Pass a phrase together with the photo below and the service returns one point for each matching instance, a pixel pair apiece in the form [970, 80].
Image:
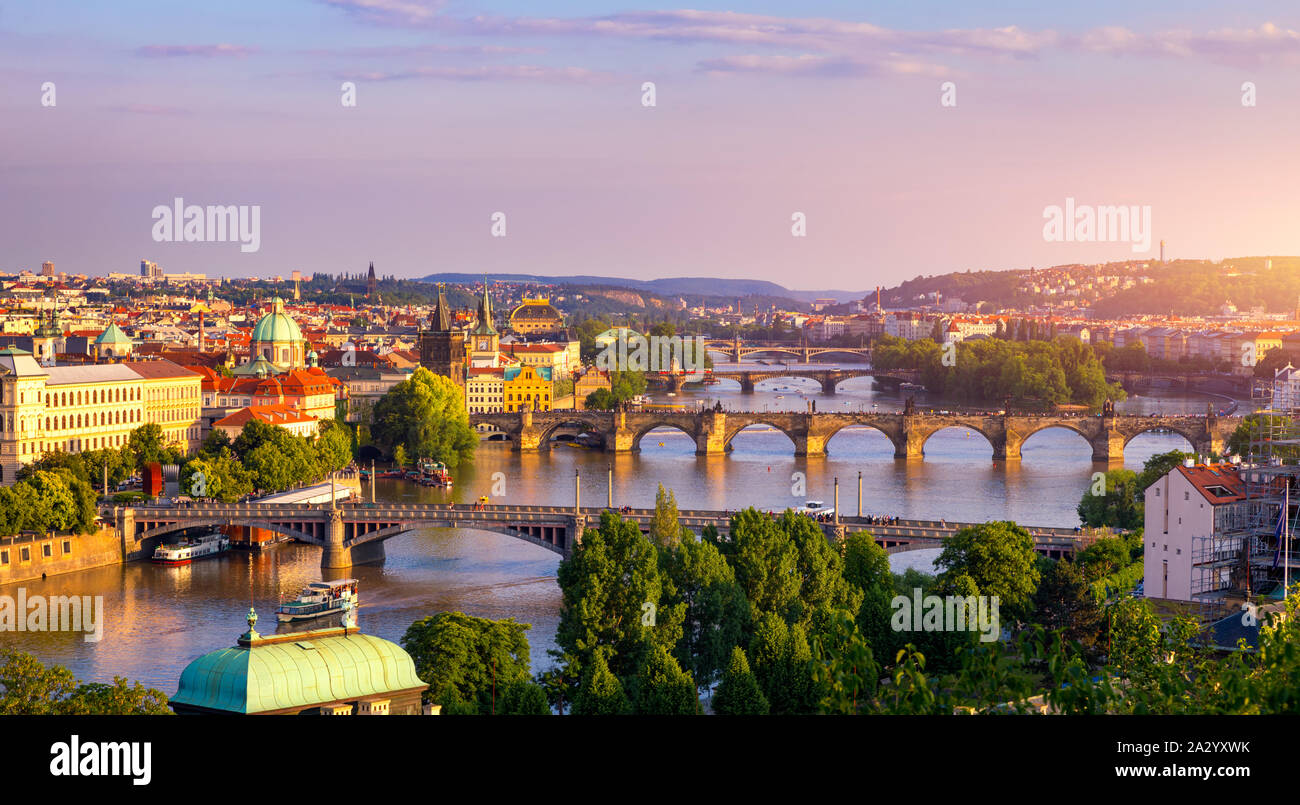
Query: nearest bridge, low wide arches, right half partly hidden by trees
[354, 534]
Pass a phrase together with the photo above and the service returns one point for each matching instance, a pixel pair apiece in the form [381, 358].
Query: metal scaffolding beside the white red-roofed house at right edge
[1247, 559]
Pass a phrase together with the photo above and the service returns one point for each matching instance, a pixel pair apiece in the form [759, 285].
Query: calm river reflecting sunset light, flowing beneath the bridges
[161, 618]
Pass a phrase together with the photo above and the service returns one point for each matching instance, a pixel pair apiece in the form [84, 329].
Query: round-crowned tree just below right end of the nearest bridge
[999, 559]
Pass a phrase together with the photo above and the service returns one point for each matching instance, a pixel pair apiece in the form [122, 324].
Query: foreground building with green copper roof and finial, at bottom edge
[330, 672]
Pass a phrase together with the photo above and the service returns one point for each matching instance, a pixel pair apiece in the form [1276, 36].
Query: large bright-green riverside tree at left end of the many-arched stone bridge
[427, 414]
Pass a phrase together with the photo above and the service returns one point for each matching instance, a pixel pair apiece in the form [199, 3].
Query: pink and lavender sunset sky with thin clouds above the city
[908, 139]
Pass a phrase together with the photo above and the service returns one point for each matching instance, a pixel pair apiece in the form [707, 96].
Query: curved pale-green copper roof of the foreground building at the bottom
[297, 674]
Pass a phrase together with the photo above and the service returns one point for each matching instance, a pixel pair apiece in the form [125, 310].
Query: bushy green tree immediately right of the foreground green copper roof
[469, 660]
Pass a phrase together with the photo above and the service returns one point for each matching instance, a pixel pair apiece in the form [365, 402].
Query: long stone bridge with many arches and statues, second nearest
[714, 431]
